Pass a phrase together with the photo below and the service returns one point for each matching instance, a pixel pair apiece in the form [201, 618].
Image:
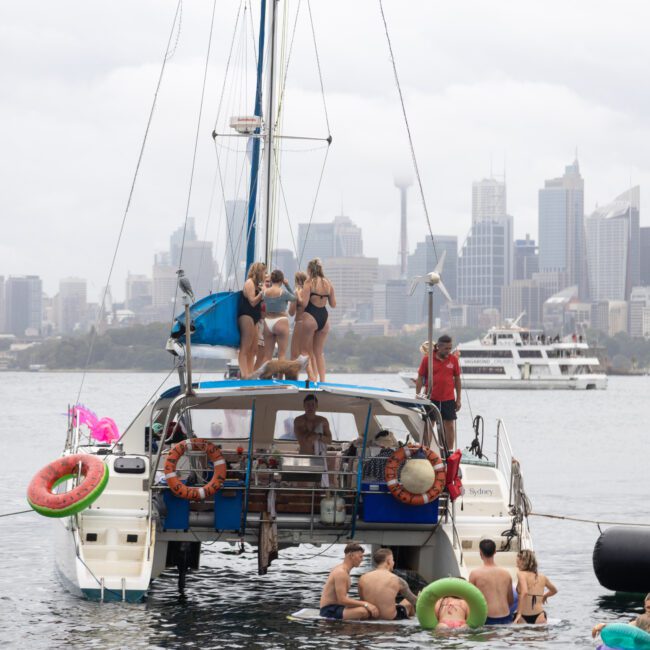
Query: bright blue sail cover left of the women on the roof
[214, 318]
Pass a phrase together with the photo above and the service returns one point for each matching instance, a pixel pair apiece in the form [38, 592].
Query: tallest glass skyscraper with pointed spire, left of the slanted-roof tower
[561, 227]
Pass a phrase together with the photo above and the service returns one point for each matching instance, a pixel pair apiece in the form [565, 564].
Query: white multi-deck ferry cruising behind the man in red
[517, 357]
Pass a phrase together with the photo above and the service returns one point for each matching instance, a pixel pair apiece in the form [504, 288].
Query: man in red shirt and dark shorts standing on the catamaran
[446, 388]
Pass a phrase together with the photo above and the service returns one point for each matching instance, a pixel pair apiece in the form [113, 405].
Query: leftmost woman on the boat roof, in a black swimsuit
[249, 312]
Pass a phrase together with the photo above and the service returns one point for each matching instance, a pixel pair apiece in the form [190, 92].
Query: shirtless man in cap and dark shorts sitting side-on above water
[335, 602]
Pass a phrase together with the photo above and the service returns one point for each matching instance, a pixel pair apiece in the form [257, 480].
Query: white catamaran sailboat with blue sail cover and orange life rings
[208, 461]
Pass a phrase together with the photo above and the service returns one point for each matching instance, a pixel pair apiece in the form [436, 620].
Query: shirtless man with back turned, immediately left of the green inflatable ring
[381, 586]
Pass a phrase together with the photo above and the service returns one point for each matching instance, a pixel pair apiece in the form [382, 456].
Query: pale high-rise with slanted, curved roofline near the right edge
[612, 236]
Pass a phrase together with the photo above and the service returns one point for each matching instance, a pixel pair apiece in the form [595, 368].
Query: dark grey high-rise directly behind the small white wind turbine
[422, 261]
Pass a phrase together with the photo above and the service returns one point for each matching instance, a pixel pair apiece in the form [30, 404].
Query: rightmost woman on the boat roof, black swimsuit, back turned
[317, 292]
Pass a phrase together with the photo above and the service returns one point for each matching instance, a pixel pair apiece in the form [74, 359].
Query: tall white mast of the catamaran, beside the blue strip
[269, 118]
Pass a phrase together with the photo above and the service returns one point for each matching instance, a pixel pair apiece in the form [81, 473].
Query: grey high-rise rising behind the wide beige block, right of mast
[338, 238]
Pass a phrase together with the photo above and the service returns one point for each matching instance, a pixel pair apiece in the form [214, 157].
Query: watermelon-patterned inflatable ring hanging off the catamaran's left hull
[41, 497]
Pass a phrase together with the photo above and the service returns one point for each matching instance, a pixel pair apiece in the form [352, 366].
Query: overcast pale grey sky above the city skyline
[519, 84]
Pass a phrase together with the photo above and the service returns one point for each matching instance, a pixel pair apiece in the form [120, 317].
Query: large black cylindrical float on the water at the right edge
[622, 559]
